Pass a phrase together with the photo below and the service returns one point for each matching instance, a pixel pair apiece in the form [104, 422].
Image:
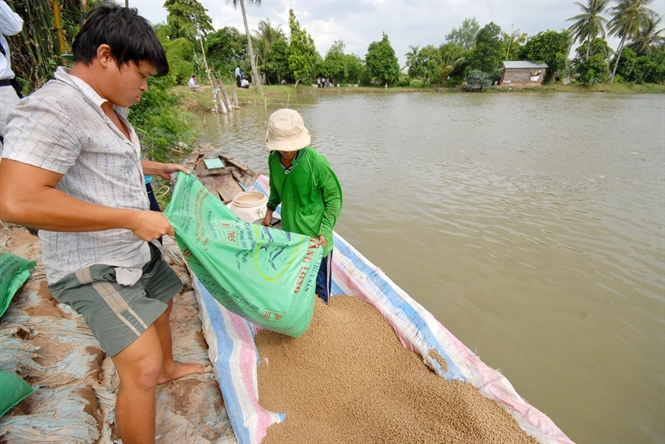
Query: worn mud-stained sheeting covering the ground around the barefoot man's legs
[50, 346]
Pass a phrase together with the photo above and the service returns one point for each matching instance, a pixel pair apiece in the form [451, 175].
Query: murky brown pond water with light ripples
[530, 225]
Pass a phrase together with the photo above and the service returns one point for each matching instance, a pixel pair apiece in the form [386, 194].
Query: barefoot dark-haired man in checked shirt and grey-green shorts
[71, 169]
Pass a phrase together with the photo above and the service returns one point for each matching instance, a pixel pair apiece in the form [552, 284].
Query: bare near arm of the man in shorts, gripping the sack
[28, 196]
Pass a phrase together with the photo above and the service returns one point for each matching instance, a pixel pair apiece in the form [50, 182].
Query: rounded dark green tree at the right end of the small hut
[549, 47]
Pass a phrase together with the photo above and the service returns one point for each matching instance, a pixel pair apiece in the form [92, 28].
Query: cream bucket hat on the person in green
[286, 131]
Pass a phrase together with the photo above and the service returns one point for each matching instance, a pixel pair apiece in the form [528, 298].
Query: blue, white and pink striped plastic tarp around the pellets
[235, 357]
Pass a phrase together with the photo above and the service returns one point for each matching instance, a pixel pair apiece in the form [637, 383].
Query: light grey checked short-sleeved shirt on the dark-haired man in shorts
[62, 128]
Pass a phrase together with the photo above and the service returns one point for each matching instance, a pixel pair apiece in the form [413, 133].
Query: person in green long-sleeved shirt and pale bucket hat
[302, 181]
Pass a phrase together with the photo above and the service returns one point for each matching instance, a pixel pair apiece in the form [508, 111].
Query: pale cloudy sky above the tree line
[407, 23]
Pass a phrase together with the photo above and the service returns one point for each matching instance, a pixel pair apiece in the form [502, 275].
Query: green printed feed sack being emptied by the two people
[264, 275]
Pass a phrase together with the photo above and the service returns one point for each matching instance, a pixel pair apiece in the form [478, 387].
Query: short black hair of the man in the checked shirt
[130, 36]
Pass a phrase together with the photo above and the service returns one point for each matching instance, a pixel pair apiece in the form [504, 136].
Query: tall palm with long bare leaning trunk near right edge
[628, 16]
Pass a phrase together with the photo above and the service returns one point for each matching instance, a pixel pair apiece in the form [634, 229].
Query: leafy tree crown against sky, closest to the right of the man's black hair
[187, 19]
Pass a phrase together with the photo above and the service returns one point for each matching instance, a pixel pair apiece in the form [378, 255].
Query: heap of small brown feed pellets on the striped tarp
[348, 379]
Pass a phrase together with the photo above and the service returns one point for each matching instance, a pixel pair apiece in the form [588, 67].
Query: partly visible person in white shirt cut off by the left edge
[10, 92]
